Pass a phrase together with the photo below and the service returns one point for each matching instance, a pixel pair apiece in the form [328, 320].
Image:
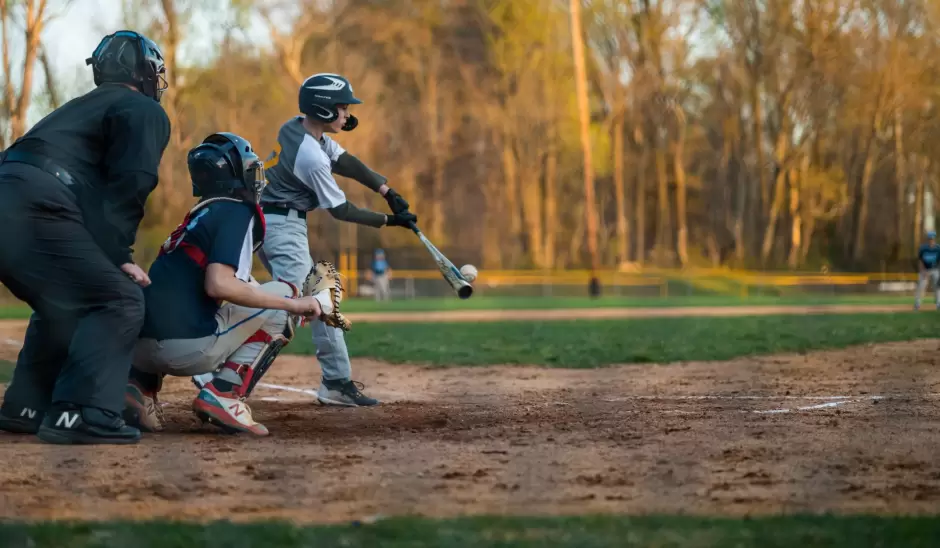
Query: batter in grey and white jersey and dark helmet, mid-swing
[302, 180]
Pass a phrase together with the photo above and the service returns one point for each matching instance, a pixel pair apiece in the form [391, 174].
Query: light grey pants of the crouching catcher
[186, 357]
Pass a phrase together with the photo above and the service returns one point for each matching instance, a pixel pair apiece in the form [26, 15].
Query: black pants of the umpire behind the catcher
[87, 312]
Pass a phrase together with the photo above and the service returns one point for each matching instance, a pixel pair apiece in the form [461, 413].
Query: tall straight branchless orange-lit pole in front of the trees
[581, 86]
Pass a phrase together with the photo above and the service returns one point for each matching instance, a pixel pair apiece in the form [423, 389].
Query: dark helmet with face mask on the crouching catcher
[224, 164]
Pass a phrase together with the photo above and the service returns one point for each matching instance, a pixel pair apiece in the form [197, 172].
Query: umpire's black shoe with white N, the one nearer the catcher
[72, 424]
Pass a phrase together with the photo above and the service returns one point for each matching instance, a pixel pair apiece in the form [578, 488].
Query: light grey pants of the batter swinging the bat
[286, 256]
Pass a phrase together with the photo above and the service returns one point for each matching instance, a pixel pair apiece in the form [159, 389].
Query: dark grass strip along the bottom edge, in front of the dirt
[573, 532]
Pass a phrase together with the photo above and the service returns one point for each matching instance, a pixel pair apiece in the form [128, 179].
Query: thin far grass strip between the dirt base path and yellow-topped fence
[20, 311]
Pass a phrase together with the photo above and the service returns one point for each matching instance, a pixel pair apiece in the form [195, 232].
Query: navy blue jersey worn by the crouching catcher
[177, 306]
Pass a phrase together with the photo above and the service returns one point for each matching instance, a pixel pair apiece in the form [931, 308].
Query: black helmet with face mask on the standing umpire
[127, 57]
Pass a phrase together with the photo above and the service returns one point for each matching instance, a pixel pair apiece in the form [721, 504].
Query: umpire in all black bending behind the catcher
[72, 194]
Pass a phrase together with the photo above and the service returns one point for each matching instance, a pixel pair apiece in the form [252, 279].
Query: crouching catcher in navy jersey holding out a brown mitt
[205, 261]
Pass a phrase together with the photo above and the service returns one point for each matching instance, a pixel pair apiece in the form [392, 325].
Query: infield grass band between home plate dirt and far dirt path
[591, 343]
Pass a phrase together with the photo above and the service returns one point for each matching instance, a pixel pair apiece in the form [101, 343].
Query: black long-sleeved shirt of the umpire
[111, 140]
